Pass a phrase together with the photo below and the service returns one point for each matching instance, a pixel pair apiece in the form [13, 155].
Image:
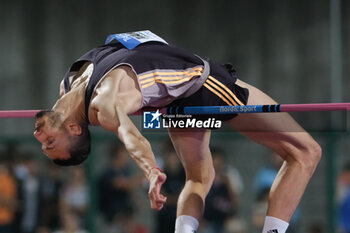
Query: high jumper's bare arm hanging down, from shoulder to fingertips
[117, 96]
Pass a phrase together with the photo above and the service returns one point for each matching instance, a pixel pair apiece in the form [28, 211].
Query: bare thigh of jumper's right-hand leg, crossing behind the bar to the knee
[278, 131]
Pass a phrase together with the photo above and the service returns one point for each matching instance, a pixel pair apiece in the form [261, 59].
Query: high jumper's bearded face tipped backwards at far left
[54, 139]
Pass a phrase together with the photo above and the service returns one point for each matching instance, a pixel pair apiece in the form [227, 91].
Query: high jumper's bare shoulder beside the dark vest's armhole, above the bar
[119, 88]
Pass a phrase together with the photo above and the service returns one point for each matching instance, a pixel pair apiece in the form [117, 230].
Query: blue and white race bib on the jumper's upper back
[132, 39]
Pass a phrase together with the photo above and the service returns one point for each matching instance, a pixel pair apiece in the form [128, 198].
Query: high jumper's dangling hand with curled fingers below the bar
[156, 180]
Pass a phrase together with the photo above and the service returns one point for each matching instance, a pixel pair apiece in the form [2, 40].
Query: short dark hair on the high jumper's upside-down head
[79, 148]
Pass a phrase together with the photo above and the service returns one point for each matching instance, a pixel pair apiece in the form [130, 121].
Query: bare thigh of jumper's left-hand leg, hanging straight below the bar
[192, 147]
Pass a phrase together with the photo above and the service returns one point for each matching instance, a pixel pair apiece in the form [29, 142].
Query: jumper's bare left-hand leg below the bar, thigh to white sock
[194, 153]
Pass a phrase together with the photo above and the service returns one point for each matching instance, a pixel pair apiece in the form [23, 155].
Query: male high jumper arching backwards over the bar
[112, 81]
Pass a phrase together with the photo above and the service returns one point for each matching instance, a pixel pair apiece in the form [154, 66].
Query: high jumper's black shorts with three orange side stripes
[219, 89]
